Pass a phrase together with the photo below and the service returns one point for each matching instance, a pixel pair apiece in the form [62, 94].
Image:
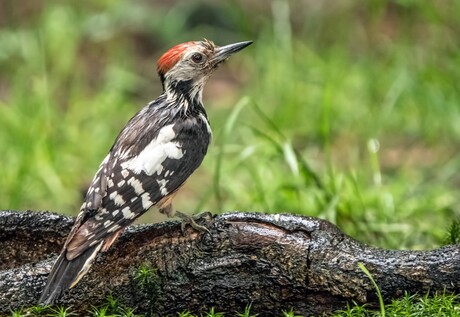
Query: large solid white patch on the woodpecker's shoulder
[151, 158]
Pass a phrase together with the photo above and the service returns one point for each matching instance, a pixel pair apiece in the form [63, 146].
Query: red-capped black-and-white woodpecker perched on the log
[151, 158]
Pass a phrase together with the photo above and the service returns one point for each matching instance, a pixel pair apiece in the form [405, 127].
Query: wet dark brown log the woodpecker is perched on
[274, 262]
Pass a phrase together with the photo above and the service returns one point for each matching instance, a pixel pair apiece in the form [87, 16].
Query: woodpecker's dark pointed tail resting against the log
[66, 273]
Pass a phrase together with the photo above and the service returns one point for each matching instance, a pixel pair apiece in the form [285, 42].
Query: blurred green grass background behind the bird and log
[344, 110]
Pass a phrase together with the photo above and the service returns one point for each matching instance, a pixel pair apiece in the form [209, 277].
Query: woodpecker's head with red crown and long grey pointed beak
[185, 68]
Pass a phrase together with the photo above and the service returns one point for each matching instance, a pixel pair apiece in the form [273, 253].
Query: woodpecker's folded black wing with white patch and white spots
[136, 182]
